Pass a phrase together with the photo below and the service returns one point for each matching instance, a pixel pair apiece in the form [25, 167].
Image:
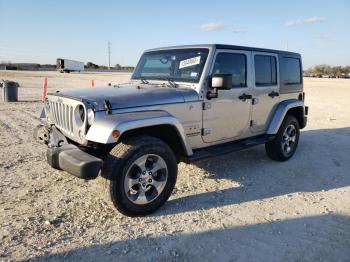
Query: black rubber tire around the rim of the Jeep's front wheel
[120, 162]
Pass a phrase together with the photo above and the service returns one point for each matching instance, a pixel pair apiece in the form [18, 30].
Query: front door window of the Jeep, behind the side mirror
[234, 64]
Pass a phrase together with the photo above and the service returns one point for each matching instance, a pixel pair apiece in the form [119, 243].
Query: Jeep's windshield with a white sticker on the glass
[184, 65]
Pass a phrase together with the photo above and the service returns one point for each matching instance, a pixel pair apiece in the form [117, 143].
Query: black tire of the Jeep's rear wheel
[277, 149]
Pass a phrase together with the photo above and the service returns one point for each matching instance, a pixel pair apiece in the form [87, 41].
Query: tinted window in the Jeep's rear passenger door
[265, 70]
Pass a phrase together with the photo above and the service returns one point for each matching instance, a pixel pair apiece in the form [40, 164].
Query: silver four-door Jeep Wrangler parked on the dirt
[183, 103]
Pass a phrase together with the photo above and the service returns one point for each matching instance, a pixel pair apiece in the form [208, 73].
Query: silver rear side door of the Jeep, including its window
[265, 89]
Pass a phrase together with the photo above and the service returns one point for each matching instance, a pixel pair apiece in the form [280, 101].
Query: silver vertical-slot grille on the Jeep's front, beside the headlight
[62, 116]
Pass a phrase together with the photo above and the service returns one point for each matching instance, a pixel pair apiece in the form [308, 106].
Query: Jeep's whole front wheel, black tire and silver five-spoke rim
[141, 174]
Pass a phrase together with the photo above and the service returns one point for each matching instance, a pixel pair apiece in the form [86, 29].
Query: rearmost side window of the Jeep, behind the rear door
[290, 71]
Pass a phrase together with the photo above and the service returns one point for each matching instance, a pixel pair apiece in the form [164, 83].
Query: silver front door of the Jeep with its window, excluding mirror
[227, 117]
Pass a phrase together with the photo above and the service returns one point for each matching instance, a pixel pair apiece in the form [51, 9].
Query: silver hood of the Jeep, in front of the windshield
[131, 96]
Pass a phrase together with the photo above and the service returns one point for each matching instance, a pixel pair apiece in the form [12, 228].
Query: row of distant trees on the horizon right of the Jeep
[327, 70]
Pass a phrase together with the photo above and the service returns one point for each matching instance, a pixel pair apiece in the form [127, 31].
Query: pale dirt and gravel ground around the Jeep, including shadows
[240, 207]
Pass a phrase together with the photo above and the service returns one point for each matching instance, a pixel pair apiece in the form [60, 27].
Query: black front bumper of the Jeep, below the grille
[74, 161]
